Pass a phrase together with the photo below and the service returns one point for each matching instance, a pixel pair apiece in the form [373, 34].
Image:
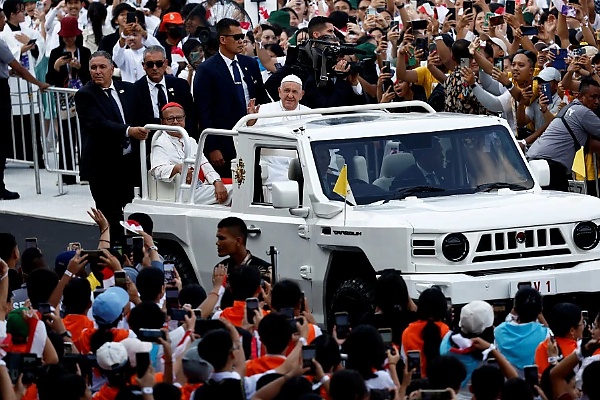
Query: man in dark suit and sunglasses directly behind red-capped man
[156, 89]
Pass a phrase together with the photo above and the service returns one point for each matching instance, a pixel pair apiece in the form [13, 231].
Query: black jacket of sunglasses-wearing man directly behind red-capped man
[178, 90]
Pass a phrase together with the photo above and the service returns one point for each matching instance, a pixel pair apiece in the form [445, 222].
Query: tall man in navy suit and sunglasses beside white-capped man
[223, 87]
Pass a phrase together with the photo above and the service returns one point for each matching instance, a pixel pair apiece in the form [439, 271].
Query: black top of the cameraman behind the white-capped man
[335, 94]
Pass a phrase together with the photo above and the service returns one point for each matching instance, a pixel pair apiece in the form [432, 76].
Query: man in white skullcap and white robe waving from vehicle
[290, 94]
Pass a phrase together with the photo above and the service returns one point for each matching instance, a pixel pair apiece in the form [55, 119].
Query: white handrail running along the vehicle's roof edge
[337, 110]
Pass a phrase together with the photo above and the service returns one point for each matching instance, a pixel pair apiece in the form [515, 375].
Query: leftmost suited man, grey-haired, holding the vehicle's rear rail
[110, 144]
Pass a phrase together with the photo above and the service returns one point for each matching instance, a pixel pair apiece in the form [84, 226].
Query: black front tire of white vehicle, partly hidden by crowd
[354, 296]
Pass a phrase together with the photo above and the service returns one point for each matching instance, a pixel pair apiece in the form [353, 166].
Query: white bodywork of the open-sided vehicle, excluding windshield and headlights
[321, 246]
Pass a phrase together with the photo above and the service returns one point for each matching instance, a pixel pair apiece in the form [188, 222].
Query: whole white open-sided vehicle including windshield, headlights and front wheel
[446, 199]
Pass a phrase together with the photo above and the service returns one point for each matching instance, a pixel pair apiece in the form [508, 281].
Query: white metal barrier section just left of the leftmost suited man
[62, 140]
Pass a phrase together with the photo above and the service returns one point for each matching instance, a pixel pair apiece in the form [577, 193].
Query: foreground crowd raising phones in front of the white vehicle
[118, 323]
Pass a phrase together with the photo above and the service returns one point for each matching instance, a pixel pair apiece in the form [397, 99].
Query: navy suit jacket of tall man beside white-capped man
[215, 100]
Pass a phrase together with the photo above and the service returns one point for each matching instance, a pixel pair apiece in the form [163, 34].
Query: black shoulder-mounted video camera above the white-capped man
[322, 55]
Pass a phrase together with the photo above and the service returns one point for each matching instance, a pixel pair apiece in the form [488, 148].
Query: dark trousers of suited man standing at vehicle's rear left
[112, 193]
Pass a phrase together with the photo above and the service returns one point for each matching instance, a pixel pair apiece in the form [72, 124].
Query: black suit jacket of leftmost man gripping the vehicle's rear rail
[103, 132]
